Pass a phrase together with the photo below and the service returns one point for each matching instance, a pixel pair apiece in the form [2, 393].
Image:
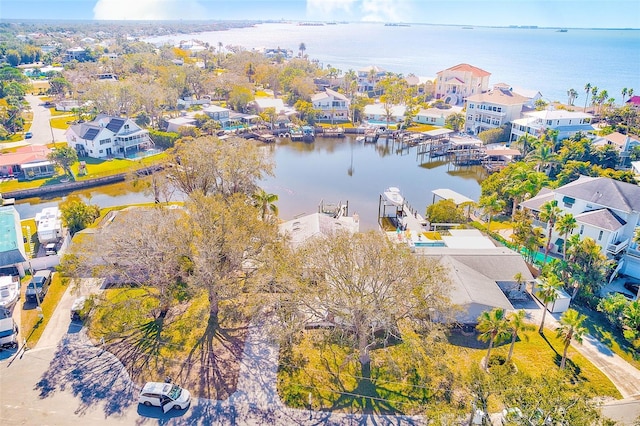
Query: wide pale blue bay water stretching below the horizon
[542, 59]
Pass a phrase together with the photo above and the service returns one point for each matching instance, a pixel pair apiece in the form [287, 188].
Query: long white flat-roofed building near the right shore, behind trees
[567, 123]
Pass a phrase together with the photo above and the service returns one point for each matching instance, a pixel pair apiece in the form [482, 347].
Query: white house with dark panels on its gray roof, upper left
[107, 137]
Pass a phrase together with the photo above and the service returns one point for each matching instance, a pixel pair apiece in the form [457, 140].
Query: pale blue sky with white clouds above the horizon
[551, 13]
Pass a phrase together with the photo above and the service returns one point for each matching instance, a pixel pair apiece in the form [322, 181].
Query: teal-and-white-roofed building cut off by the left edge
[12, 250]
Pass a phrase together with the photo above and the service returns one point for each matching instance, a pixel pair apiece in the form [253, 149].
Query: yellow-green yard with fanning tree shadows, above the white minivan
[184, 345]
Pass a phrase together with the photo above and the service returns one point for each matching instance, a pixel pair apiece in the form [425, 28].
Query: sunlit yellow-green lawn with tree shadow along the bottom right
[411, 377]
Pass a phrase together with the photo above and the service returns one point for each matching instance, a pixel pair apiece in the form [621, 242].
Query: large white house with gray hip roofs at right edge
[606, 210]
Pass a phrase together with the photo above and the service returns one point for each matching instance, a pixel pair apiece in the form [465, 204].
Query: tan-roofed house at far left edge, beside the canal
[27, 162]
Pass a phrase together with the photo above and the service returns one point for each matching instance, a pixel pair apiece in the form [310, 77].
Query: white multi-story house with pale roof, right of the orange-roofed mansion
[491, 110]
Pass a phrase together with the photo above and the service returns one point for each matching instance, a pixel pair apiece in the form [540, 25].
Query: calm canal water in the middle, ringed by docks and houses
[330, 169]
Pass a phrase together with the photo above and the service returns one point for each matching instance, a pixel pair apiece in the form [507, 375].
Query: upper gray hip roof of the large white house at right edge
[604, 191]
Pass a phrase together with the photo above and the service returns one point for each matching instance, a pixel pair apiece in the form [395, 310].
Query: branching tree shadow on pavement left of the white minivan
[92, 374]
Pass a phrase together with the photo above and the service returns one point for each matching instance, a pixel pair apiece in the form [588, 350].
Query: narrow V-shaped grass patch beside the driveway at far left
[32, 325]
